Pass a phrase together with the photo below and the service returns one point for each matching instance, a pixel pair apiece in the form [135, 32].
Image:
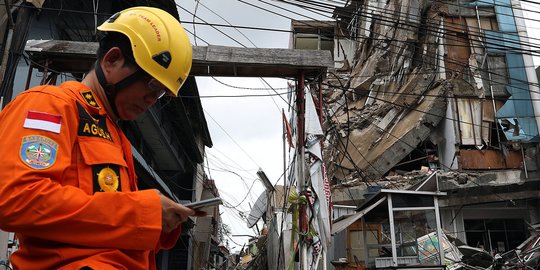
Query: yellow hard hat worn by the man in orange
[160, 44]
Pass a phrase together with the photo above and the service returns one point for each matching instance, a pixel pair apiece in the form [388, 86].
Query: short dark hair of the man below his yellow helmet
[115, 39]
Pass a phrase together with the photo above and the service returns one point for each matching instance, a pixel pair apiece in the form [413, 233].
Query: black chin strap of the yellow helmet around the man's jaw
[111, 90]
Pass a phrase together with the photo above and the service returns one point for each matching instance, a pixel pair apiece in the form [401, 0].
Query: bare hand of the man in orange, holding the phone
[173, 214]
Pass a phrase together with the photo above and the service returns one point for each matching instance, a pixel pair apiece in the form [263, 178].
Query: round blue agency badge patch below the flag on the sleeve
[38, 152]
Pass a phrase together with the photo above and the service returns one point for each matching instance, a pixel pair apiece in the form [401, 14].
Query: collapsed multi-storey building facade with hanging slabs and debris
[434, 88]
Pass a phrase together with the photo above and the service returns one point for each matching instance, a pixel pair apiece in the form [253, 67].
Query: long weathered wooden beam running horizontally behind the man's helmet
[75, 56]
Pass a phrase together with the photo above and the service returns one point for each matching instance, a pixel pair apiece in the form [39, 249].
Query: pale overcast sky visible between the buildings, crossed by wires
[247, 131]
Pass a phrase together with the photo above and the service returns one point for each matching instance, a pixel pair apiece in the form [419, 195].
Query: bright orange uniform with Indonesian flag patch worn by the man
[67, 185]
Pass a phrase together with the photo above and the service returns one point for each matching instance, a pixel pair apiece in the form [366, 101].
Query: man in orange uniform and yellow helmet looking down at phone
[68, 187]
